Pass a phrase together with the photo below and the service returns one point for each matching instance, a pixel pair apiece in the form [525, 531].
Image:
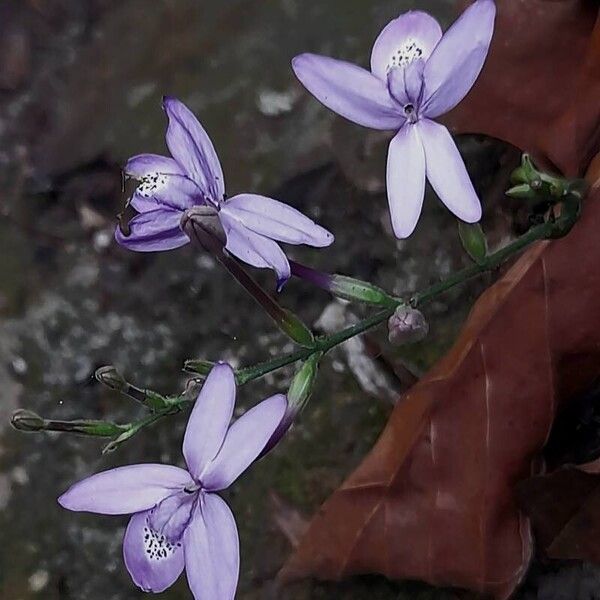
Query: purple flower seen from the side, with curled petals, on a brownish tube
[253, 224]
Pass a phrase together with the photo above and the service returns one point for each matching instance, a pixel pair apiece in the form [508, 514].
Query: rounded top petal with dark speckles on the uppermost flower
[411, 36]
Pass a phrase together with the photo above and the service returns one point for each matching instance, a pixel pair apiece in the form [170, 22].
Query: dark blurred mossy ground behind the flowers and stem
[81, 83]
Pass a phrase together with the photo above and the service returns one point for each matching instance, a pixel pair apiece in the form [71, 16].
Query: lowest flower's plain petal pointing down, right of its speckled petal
[212, 550]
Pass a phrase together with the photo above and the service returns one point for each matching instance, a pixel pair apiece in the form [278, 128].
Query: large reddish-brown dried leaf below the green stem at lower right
[434, 498]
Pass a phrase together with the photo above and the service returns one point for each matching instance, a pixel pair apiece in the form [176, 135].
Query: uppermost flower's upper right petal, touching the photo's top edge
[458, 59]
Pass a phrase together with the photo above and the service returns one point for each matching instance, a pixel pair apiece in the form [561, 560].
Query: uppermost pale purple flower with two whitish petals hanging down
[416, 75]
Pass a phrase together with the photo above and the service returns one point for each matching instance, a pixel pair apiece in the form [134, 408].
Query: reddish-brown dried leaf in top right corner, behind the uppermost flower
[540, 87]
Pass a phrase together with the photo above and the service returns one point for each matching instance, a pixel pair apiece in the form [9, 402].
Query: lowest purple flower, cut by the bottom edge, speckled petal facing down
[179, 520]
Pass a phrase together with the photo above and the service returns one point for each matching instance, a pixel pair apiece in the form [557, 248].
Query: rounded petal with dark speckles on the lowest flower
[153, 563]
